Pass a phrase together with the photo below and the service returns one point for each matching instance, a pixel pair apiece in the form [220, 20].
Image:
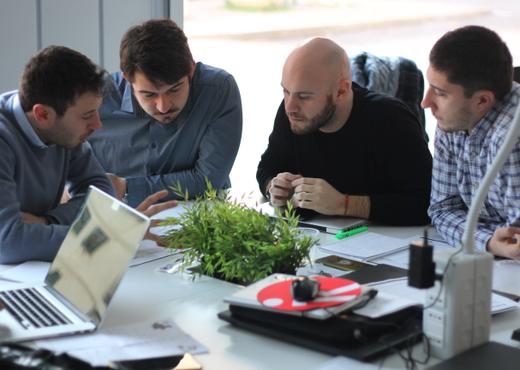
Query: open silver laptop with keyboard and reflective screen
[83, 277]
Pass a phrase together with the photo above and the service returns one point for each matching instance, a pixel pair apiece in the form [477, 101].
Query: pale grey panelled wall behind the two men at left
[93, 27]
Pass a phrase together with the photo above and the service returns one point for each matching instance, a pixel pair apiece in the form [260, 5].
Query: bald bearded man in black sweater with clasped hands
[339, 149]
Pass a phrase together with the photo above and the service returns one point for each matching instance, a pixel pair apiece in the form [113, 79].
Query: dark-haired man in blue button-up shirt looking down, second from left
[167, 120]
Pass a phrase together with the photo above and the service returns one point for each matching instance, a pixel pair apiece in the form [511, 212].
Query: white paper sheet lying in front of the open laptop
[158, 338]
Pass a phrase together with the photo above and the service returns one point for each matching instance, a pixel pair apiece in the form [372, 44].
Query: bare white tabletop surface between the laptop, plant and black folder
[146, 293]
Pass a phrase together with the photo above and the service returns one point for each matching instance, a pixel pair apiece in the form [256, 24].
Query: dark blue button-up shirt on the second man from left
[201, 143]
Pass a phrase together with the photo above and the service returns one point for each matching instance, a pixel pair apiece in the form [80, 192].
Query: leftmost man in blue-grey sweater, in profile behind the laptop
[43, 128]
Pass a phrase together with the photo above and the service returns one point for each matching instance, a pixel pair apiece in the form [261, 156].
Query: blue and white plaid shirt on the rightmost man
[461, 160]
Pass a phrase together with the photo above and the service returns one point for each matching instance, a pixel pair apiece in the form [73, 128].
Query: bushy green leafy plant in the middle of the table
[236, 243]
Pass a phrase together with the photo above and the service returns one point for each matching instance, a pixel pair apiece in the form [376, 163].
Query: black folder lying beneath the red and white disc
[348, 335]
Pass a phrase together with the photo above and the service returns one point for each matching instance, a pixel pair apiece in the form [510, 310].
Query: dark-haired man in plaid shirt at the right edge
[473, 98]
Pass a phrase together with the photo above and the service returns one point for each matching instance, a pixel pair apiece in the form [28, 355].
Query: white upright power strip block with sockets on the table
[461, 317]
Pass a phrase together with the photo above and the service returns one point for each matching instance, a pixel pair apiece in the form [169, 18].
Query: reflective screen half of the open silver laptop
[96, 252]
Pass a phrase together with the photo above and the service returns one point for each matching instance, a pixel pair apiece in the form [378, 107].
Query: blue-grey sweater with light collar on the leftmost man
[32, 179]
